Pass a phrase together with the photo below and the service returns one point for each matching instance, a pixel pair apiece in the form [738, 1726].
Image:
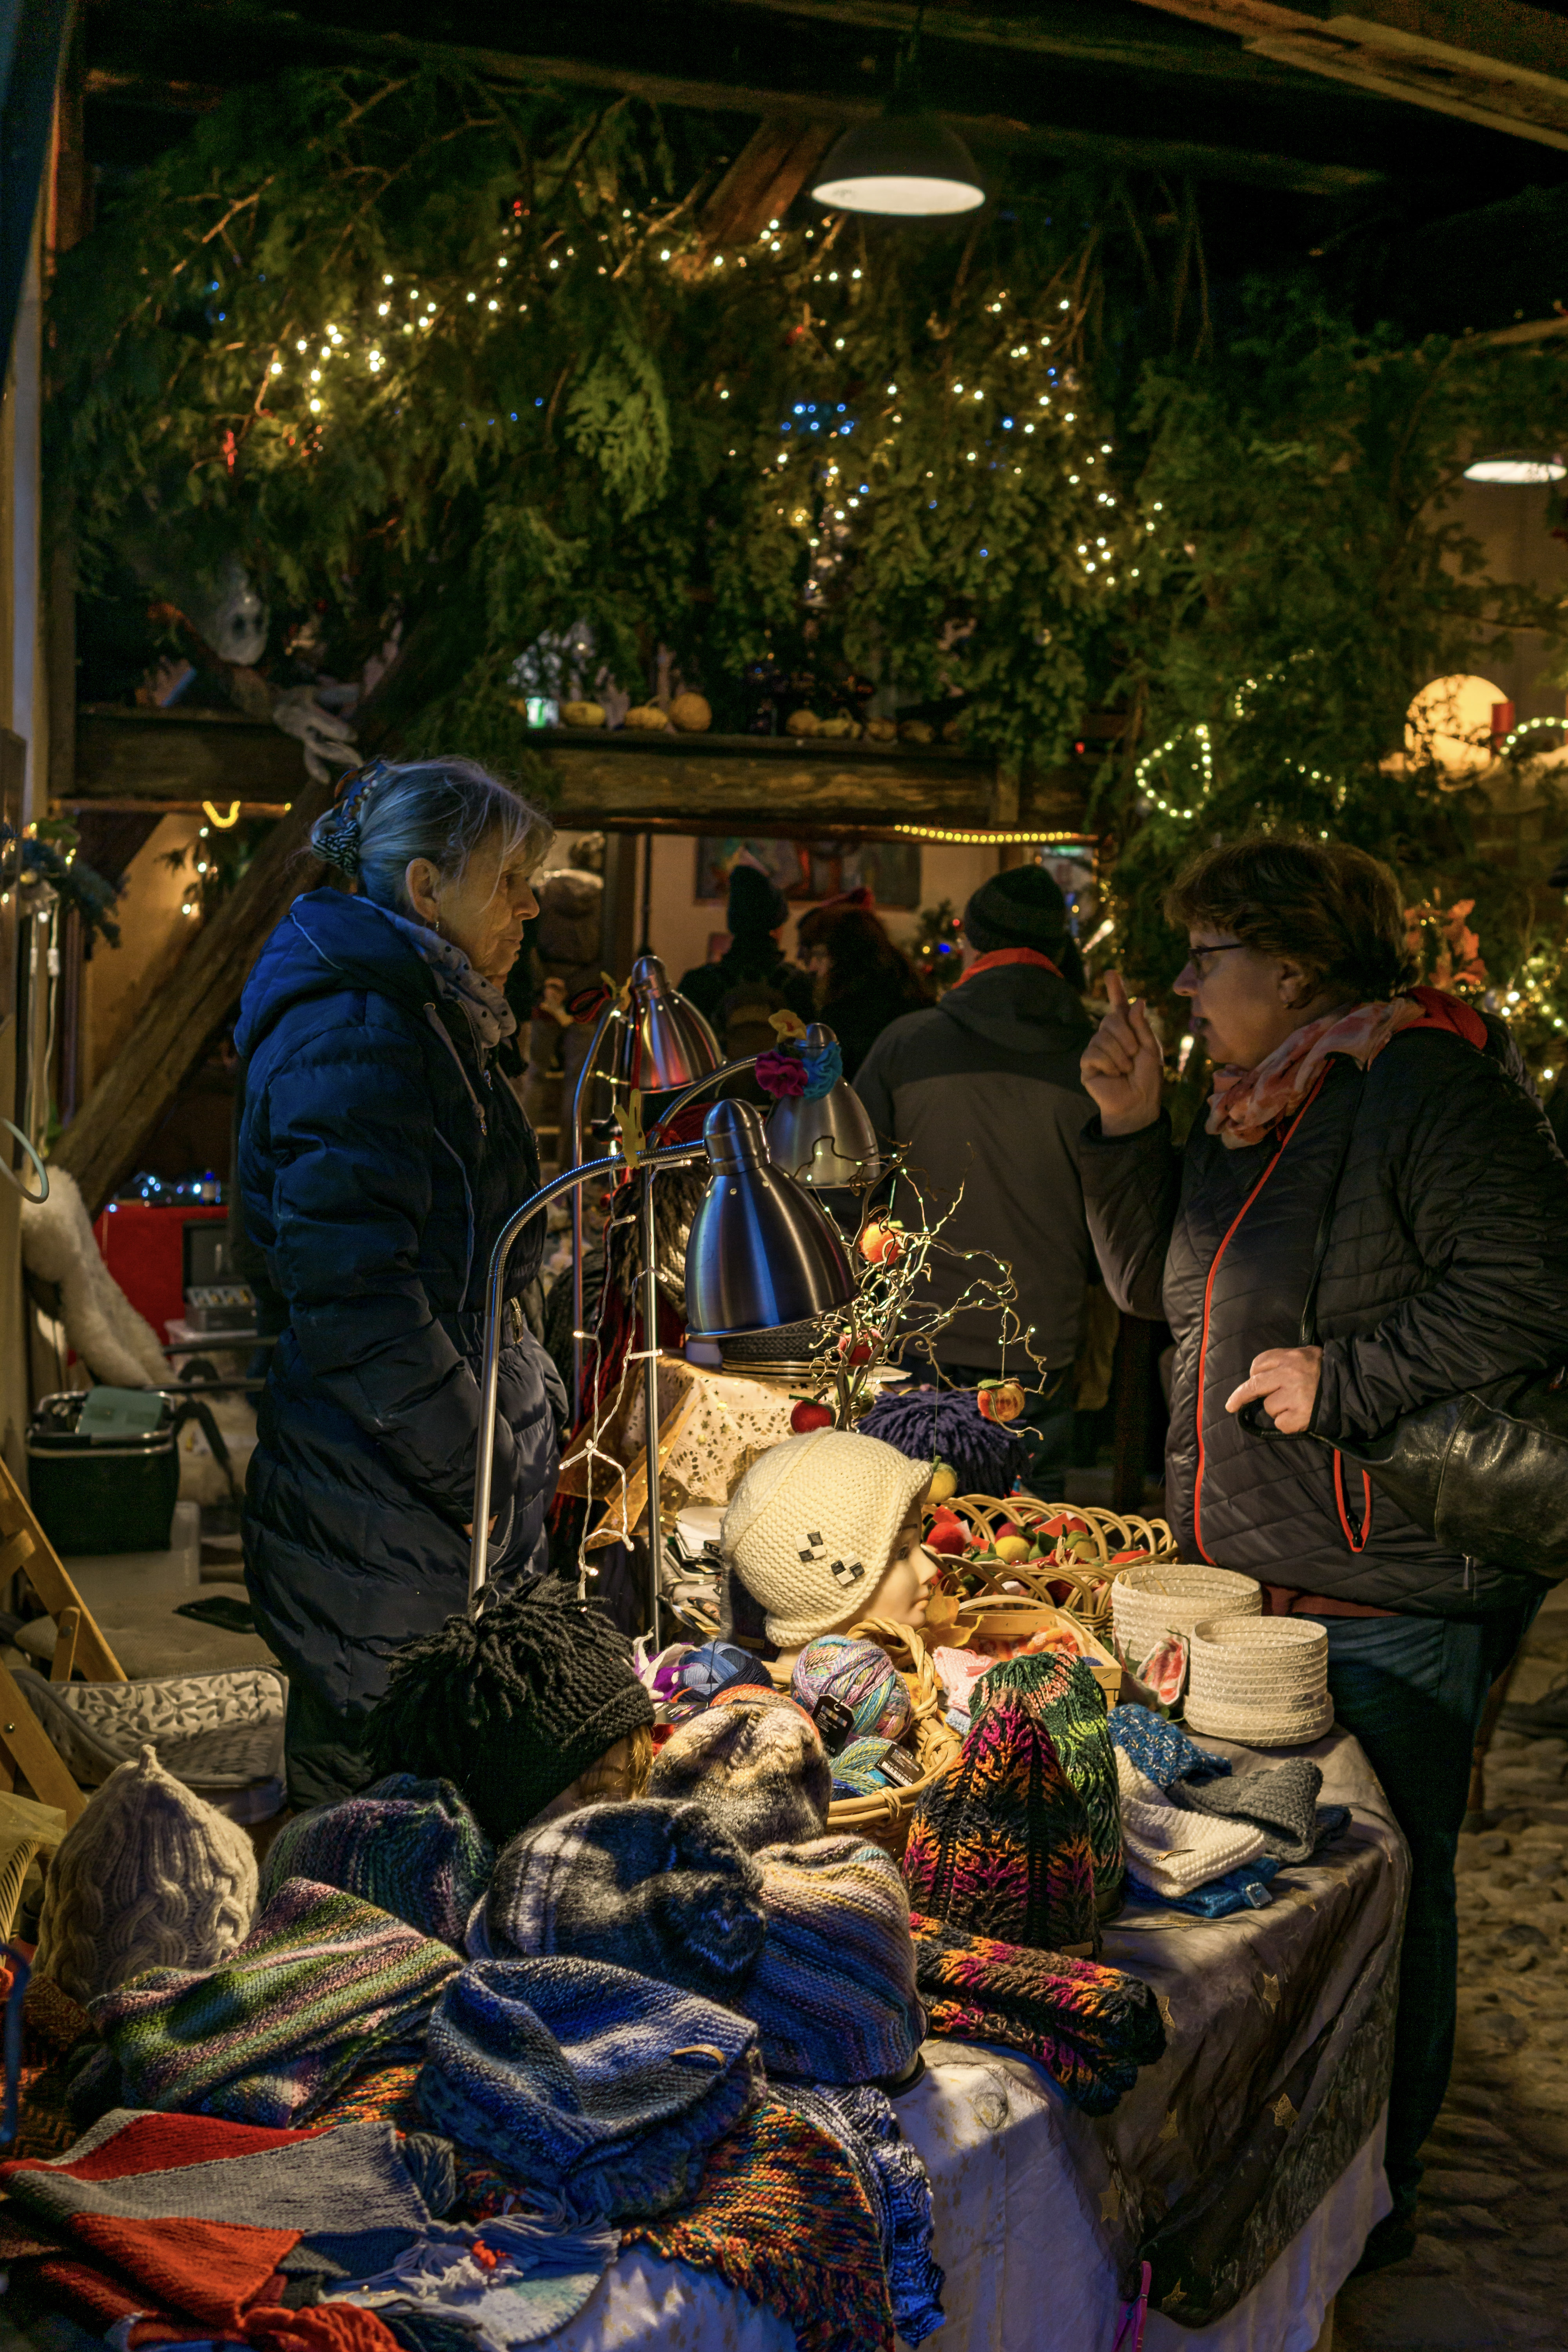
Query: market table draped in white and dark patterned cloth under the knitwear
[1247, 2165]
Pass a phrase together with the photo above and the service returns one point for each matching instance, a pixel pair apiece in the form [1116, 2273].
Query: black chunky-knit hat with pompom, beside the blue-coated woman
[511, 1706]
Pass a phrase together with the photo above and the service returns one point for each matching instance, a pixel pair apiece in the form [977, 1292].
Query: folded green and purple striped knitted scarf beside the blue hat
[319, 1986]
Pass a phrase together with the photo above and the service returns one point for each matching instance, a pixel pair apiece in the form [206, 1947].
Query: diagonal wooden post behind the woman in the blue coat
[180, 1022]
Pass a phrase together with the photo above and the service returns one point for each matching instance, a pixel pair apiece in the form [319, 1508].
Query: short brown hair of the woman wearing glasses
[1332, 909]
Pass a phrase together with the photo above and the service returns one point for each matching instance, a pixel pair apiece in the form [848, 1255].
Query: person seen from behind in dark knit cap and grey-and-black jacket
[989, 1097]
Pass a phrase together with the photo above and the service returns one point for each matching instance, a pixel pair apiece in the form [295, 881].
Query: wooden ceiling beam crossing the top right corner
[1487, 62]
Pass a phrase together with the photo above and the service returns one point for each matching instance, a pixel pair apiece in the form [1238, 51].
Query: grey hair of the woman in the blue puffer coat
[438, 810]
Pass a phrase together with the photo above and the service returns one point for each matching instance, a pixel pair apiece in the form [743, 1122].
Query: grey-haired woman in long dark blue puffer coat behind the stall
[380, 1158]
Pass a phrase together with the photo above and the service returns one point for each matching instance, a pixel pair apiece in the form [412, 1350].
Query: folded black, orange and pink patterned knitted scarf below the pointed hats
[1092, 2029]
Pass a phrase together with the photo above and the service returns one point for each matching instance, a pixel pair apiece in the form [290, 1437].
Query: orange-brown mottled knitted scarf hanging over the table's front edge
[786, 2219]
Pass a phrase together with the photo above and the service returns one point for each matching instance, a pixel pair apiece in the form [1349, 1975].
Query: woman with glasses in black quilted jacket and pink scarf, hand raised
[1388, 1137]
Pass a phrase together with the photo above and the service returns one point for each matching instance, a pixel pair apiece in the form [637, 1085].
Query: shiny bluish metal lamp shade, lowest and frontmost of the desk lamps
[763, 1250]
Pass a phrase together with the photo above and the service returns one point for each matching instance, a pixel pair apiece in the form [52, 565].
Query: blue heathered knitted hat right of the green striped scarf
[594, 2085]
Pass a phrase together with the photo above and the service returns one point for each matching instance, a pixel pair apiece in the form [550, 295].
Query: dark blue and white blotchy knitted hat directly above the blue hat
[652, 1887]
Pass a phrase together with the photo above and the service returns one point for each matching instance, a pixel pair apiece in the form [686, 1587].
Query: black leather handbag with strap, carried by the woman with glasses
[1485, 1471]
